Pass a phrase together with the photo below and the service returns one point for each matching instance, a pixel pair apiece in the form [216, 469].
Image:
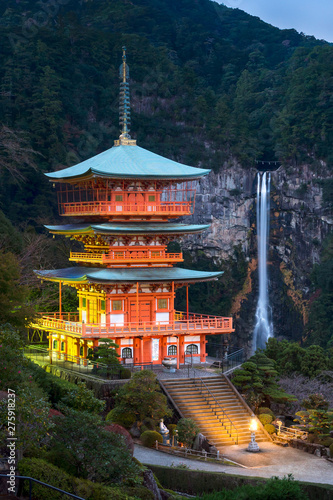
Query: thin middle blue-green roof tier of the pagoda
[131, 228]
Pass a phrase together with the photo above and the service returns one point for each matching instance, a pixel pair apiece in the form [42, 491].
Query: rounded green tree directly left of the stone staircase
[142, 397]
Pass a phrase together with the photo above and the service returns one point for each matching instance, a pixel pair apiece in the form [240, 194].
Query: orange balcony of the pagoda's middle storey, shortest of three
[128, 257]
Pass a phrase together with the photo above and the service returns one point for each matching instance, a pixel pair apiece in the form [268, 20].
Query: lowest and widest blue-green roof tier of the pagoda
[126, 275]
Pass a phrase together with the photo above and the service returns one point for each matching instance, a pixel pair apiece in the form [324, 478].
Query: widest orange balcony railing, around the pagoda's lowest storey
[193, 324]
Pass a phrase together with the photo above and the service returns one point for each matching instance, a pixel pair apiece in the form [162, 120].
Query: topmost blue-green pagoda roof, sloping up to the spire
[128, 162]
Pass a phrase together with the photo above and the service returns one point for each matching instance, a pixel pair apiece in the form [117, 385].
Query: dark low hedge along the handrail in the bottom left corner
[50, 474]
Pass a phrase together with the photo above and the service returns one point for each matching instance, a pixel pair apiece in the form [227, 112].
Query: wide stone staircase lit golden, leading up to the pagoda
[216, 406]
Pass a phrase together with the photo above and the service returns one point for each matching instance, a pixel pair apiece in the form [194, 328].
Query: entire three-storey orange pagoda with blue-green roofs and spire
[125, 202]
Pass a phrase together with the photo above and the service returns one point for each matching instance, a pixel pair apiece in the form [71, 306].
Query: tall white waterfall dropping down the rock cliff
[264, 327]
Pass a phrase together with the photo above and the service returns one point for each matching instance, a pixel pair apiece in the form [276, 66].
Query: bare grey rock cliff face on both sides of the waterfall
[299, 221]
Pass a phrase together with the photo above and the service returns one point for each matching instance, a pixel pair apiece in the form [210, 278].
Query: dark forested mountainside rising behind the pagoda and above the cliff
[208, 84]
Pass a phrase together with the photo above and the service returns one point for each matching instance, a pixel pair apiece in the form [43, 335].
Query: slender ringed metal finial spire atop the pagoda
[124, 104]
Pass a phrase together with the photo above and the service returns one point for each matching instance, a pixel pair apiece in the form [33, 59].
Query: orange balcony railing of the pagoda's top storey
[109, 209]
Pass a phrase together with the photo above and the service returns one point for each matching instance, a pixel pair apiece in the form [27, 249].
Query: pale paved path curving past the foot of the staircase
[273, 460]
